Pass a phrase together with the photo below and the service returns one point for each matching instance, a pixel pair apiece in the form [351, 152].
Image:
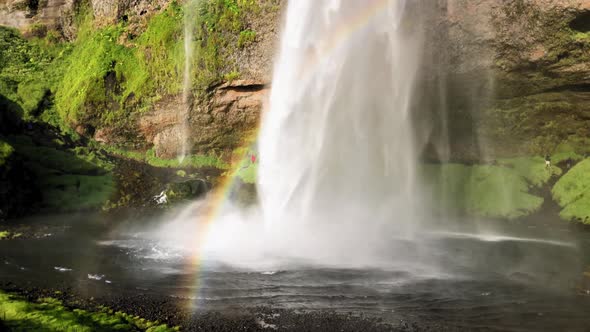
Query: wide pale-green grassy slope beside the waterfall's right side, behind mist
[483, 190]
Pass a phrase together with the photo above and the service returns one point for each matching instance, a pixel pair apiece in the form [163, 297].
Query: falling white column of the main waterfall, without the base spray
[337, 144]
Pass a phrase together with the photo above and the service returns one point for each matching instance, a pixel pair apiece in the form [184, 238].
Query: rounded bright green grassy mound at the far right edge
[572, 193]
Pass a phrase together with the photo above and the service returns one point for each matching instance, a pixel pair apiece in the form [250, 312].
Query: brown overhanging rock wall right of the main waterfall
[510, 76]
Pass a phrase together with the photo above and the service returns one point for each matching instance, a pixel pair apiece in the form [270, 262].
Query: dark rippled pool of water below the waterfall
[522, 278]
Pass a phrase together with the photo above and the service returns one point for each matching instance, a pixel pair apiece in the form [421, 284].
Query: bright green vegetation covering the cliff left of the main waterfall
[104, 79]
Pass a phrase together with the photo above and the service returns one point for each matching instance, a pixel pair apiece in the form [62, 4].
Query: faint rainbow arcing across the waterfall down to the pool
[219, 196]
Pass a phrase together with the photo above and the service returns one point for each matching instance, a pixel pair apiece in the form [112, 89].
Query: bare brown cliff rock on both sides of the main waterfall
[510, 75]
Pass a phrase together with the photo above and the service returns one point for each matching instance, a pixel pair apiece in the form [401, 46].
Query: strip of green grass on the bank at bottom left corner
[48, 314]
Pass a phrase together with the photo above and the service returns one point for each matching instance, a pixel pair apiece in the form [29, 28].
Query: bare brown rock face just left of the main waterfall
[230, 110]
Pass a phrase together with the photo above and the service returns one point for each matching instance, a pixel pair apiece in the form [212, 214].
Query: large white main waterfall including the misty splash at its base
[338, 158]
